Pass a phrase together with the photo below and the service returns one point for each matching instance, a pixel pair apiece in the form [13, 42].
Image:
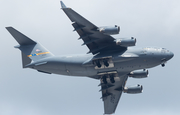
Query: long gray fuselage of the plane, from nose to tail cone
[82, 65]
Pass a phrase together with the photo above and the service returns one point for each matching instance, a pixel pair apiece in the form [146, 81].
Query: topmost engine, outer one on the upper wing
[111, 30]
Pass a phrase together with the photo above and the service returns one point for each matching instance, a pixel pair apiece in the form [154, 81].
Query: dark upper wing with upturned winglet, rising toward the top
[89, 33]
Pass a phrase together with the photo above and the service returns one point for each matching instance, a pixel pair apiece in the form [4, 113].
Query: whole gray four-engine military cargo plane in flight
[109, 60]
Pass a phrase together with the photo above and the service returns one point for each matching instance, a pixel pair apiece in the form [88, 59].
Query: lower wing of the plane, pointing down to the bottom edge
[111, 93]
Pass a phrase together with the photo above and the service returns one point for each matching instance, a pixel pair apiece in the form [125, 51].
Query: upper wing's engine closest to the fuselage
[125, 42]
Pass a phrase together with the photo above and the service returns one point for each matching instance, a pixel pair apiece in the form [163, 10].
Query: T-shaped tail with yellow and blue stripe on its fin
[31, 51]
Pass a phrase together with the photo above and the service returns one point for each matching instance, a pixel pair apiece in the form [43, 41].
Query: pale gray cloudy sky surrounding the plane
[27, 92]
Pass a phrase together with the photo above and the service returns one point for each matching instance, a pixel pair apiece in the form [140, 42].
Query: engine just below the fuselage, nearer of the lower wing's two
[139, 74]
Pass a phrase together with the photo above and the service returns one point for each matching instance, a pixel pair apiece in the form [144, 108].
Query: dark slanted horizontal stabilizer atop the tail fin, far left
[19, 37]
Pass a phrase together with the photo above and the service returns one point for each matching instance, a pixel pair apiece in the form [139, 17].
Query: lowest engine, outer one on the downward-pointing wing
[134, 89]
